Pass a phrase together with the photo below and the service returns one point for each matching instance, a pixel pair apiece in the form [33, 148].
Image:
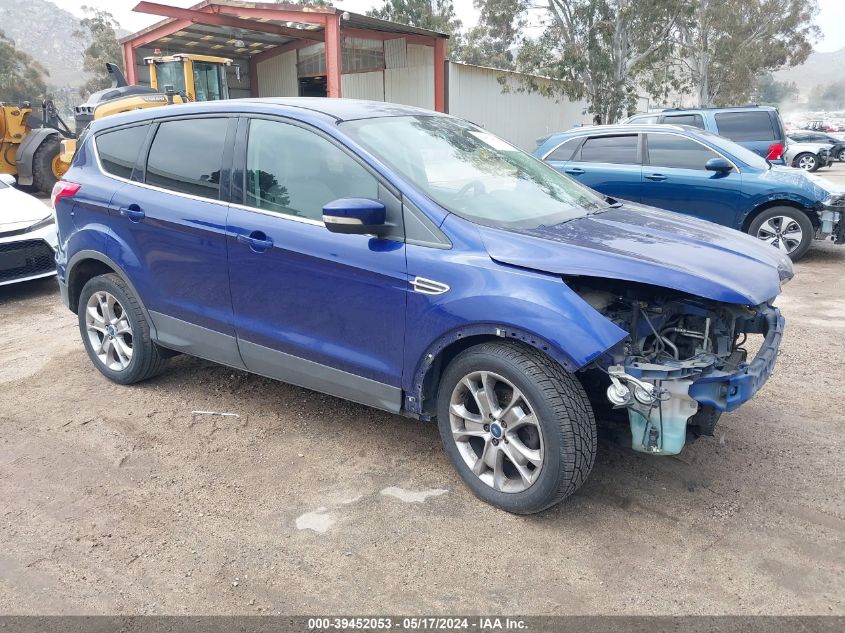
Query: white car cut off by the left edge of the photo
[28, 238]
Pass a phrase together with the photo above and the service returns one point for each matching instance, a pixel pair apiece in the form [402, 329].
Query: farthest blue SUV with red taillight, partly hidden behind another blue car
[758, 128]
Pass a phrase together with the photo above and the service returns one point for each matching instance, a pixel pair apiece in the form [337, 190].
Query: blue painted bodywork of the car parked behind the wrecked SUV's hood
[729, 199]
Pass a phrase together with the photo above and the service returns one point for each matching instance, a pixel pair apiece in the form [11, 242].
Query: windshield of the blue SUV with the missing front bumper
[475, 174]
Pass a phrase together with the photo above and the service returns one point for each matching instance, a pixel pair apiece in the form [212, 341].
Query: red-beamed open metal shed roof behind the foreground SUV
[194, 36]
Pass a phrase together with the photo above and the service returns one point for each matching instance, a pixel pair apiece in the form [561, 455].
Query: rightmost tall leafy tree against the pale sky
[721, 46]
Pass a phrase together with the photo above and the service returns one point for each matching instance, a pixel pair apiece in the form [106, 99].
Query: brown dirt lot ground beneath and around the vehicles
[122, 500]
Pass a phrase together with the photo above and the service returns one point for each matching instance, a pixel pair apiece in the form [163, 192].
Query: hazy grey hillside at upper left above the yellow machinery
[43, 30]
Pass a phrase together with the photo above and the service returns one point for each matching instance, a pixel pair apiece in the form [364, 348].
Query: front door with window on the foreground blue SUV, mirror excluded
[314, 308]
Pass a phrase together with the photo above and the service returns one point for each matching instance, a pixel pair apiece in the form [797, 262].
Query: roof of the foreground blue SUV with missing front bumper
[313, 108]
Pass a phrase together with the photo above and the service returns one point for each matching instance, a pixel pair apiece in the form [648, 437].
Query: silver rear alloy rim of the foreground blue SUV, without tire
[109, 330]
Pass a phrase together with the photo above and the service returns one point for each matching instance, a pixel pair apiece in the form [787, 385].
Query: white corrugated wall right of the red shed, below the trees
[521, 118]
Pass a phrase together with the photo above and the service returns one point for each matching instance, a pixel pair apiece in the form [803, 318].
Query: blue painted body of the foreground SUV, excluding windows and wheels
[347, 301]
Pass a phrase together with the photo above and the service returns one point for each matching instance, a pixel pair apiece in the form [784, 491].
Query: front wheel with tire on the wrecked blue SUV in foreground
[562, 443]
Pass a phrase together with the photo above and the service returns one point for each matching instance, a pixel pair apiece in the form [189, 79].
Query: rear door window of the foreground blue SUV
[186, 156]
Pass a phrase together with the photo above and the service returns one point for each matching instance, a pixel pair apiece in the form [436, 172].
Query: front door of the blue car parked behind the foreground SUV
[674, 178]
